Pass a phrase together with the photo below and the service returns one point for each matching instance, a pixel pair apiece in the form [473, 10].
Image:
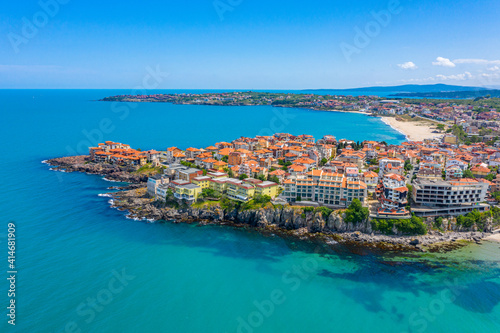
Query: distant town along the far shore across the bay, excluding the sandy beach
[470, 120]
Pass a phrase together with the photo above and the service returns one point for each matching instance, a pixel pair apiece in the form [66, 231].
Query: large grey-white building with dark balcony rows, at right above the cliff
[454, 197]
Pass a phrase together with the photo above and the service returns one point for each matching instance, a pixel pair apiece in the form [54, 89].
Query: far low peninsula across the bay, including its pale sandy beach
[417, 119]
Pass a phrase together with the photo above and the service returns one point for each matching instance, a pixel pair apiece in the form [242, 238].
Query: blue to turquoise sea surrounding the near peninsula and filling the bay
[84, 267]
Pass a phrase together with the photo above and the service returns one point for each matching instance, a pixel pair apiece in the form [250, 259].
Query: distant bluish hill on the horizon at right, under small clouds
[409, 88]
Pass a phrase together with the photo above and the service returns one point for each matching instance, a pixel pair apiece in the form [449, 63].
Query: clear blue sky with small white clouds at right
[248, 44]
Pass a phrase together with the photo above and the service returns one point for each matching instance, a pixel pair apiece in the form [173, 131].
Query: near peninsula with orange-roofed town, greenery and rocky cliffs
[413, 195]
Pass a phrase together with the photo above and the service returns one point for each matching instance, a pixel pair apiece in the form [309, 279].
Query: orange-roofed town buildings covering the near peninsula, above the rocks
[429, 179]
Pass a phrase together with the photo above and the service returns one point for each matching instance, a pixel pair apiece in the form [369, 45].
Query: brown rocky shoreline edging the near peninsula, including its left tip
[286, 221]
